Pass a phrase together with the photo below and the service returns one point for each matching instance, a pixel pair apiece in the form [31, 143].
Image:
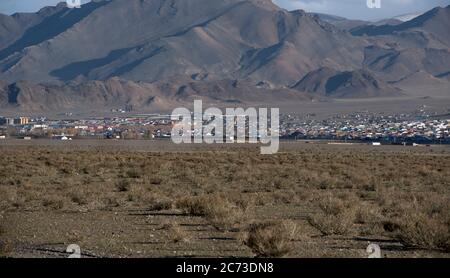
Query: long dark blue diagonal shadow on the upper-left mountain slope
[51, 27]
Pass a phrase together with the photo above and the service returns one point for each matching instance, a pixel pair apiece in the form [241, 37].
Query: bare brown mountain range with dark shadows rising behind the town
[155, 54]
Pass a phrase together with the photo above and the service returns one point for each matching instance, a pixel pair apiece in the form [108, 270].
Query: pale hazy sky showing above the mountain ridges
[355, 9]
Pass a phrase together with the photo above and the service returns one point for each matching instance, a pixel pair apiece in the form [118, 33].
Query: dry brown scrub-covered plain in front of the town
[155, 199]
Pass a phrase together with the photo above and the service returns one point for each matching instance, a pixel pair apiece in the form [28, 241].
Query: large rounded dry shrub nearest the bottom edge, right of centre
[270, 239]
